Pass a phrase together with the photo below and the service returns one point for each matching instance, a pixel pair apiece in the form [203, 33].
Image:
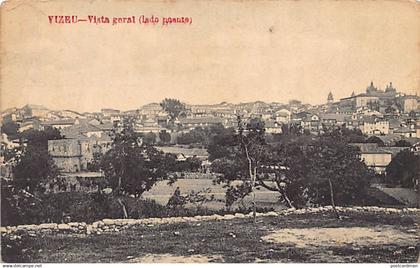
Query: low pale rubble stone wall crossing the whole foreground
[116, 225]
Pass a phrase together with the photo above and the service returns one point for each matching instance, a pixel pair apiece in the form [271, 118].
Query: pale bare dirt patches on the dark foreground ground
[316, 240]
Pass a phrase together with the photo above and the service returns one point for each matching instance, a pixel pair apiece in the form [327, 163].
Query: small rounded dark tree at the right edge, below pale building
[404, 169]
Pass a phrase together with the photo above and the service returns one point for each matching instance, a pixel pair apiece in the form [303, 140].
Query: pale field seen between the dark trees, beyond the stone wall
[161, 193]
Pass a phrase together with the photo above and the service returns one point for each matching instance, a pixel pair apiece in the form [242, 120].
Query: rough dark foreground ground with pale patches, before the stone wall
[361, 237]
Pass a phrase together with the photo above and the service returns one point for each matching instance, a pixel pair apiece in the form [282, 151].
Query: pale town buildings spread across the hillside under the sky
[389, 115]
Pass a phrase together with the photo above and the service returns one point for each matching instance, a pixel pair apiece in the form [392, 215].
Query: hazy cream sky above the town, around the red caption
[234, 51]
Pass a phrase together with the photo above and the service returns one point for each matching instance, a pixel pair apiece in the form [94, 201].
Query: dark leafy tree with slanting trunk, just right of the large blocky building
[132, 167]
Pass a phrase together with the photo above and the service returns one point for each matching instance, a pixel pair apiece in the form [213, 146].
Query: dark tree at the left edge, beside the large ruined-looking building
[33, 168]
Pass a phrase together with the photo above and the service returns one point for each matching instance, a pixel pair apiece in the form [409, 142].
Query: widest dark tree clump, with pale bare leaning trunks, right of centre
[300, 170]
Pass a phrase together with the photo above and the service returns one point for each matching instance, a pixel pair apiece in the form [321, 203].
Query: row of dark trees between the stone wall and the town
[305, 169]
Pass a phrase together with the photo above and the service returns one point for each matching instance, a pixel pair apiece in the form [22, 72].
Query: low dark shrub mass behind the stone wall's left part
[78, 207]
